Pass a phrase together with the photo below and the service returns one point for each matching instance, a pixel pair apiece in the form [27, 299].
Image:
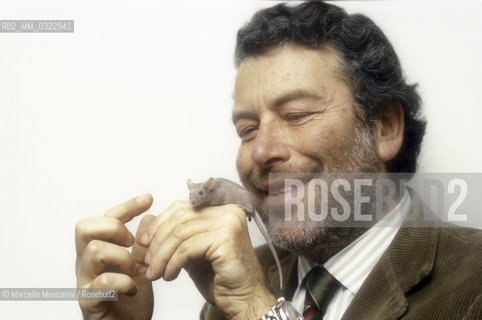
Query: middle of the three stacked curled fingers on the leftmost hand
[100, 256]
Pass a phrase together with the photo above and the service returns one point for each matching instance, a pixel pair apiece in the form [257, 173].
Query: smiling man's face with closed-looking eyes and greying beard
[295, 114]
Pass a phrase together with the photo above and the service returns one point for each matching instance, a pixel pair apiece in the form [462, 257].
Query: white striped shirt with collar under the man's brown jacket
[352, 265]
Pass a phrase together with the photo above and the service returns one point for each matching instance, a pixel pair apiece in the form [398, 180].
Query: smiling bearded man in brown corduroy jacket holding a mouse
[318, 91]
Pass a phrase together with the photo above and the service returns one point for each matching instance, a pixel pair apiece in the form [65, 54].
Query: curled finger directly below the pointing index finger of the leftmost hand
[102, 228]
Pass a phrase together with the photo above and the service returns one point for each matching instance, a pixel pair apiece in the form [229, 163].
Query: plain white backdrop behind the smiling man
[139, 98]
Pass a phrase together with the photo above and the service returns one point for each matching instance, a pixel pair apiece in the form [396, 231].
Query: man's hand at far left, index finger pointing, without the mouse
[104, 262]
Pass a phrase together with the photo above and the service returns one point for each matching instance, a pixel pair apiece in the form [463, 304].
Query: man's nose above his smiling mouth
[269, 149]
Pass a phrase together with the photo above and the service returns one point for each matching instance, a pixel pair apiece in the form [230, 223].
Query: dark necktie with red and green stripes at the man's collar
[320, 287]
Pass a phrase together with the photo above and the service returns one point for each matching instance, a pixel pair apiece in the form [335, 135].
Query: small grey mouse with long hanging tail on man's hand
[220, 191]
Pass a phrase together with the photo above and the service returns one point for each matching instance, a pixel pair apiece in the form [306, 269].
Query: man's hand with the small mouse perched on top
[213, 246]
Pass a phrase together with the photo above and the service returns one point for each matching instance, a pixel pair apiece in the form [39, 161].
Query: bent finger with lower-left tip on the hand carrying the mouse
[159, 255]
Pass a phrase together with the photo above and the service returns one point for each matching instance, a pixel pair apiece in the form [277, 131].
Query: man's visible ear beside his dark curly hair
[389, 131]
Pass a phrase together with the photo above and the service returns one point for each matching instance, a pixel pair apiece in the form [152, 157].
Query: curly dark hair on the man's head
[369, 62]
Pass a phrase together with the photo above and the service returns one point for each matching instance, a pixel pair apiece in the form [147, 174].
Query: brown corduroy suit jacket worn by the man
[426, 273]
